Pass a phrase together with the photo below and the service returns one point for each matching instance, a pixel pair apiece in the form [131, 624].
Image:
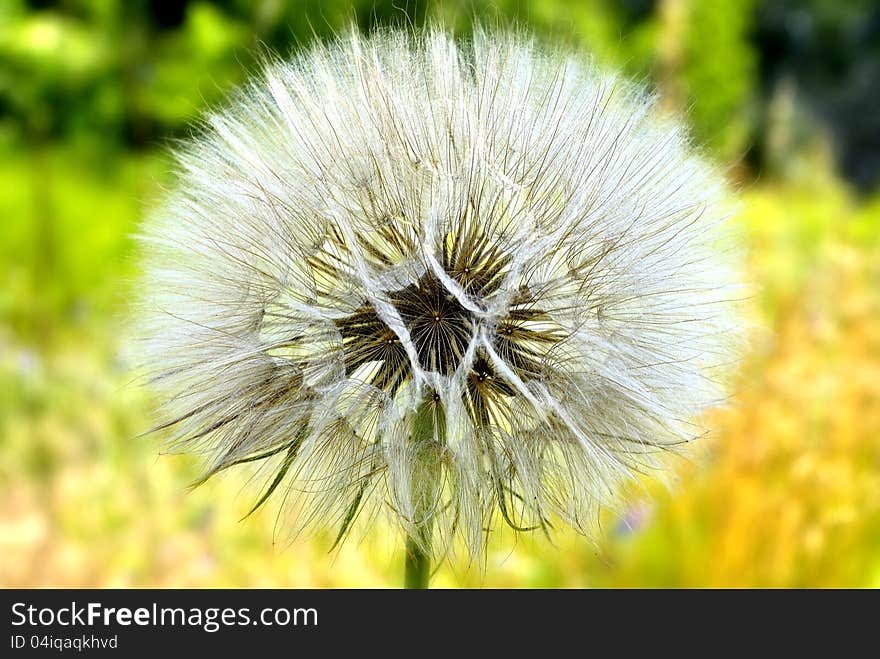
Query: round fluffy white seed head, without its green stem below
[452, 282]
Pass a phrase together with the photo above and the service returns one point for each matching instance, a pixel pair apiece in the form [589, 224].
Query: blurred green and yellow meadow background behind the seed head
[786, 492]
